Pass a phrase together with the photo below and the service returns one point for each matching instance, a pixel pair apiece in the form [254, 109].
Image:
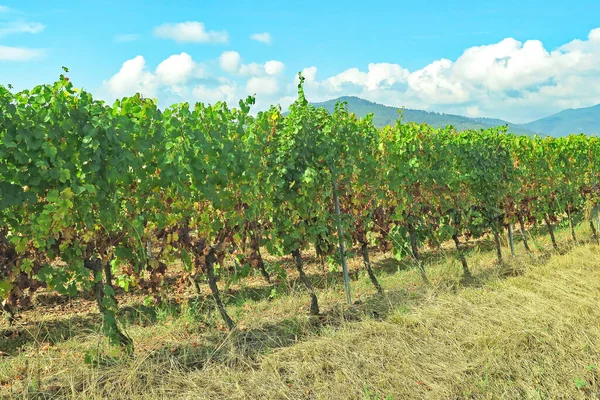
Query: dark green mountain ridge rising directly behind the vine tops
[386, 115]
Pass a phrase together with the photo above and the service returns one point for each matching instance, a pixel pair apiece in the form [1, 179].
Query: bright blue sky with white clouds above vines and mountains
[515, 60]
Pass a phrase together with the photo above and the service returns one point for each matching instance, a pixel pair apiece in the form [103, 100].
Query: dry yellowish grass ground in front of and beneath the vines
[525, 329]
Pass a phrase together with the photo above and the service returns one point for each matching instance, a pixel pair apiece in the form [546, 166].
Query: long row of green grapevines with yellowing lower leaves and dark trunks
[100, 200]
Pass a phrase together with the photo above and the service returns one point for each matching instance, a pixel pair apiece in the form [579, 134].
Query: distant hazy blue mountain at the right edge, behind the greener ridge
[578, 120]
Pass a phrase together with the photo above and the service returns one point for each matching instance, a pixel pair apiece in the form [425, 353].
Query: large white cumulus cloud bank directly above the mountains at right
[513, 80]
